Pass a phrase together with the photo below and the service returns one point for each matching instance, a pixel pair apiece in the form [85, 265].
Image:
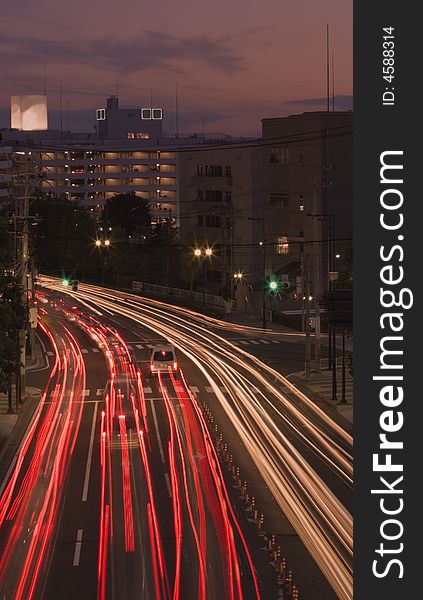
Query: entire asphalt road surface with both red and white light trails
[143, 507]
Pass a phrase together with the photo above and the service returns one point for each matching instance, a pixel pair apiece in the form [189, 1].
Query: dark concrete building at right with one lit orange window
[282, 193]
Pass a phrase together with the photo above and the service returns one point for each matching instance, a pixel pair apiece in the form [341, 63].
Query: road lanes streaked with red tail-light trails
[116, 490]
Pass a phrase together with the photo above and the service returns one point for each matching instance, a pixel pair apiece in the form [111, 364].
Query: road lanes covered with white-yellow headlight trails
[303, 457]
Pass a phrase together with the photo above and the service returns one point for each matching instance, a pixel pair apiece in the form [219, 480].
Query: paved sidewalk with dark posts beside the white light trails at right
[319, 387]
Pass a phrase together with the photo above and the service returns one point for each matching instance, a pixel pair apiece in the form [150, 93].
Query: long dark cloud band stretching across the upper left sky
[151, 50]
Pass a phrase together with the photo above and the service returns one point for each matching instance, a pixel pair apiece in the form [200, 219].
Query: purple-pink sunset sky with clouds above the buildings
[235, 61]
